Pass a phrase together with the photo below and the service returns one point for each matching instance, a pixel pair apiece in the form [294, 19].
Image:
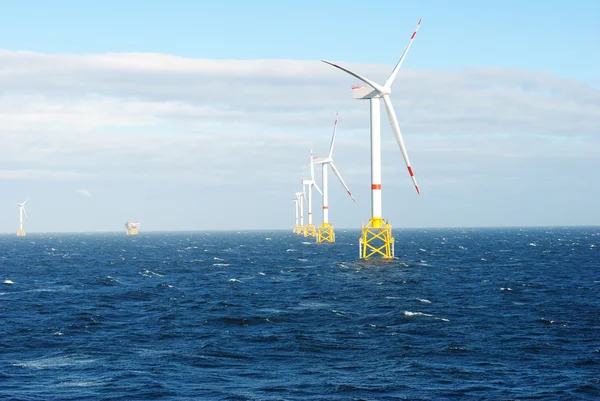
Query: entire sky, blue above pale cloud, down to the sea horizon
[197, 115]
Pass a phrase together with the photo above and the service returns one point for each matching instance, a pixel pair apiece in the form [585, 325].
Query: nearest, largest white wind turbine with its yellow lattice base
[376, 238]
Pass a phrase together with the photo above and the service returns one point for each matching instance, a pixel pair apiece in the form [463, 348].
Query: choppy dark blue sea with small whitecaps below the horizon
[465, 314]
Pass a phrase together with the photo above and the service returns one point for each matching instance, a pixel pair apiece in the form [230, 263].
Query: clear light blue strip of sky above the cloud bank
[548, 35]
